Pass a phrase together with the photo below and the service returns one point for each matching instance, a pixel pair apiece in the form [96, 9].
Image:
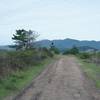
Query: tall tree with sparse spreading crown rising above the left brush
[24, 39]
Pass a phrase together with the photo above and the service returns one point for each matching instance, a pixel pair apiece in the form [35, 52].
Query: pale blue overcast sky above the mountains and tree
[53, 19]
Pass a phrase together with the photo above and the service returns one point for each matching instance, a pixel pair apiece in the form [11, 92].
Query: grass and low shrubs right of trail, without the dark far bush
[91, 66]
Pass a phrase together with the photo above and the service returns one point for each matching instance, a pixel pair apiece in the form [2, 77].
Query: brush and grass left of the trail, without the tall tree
[18, 67]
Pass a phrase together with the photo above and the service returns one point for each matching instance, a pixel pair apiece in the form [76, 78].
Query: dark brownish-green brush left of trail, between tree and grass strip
[11, 61]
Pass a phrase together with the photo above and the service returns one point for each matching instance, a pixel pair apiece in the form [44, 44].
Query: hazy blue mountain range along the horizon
[66, 44]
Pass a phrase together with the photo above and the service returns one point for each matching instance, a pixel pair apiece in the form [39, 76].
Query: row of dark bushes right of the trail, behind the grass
[92, 56]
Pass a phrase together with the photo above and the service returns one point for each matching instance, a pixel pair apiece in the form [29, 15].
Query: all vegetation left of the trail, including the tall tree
[19, 66]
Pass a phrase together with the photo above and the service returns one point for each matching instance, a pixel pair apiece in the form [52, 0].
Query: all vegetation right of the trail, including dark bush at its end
[90, 63]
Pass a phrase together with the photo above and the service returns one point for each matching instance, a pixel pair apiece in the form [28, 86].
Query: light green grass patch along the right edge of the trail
[92, 71]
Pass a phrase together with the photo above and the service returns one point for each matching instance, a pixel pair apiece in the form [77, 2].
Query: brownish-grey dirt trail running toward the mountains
[62, 80]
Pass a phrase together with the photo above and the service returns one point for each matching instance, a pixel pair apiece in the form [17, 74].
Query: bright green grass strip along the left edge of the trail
[16, 81]
